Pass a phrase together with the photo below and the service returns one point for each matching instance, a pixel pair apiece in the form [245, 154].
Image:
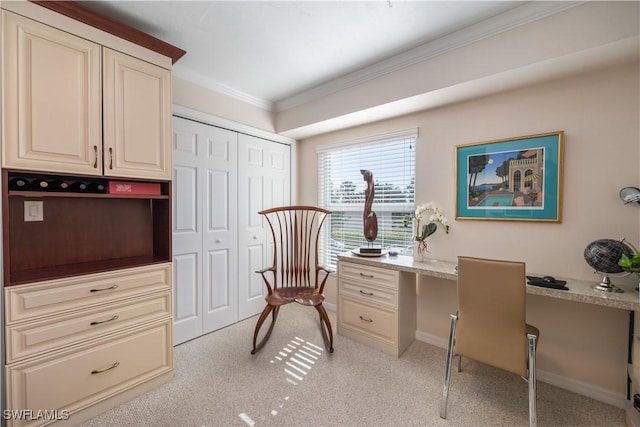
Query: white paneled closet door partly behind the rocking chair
[264, 182]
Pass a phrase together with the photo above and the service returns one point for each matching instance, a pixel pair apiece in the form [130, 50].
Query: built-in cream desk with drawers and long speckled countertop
[389, 323]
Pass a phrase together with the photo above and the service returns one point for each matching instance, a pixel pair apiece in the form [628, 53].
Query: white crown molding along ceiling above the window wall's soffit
[525, 14]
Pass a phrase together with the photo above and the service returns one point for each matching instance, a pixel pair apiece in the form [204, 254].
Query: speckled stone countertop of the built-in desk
[581, 291]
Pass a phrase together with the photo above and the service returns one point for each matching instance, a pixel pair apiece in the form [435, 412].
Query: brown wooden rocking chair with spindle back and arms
[295, 275]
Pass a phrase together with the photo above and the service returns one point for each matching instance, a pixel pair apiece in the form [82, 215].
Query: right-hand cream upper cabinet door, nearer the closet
[137, 118]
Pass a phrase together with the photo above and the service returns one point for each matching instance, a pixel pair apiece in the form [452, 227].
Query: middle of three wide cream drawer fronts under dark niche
[27, 339]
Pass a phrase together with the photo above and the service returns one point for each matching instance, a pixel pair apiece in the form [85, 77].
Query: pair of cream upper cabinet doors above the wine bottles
[73, 106]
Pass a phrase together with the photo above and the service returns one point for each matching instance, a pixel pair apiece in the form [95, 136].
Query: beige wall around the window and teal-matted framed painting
[599, 112]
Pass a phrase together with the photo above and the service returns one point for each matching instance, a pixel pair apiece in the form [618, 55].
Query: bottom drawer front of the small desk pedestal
[374, 321]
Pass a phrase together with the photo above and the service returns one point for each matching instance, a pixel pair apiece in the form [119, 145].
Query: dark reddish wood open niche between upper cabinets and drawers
[82, 233]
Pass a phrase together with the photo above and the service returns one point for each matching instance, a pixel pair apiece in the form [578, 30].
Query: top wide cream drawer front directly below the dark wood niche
[32, 301]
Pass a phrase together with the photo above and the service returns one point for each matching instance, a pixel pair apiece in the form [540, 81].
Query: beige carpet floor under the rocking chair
[293, 381]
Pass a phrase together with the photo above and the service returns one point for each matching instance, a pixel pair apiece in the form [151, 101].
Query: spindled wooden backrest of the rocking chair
[296, 232]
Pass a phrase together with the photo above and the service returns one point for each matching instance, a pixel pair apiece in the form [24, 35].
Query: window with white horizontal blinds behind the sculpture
[391, 159]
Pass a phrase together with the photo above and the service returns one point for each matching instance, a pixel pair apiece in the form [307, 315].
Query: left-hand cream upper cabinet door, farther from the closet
[52, 112]
